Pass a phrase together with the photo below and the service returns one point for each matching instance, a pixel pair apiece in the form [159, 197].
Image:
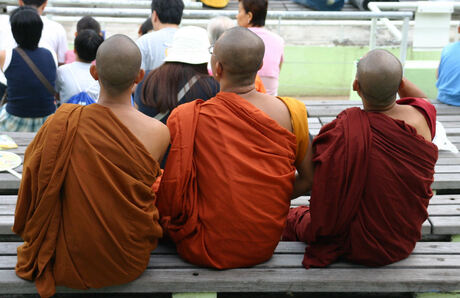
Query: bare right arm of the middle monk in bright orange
[304, 177]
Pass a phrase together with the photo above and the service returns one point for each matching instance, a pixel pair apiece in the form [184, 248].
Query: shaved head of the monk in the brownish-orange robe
[118, 61]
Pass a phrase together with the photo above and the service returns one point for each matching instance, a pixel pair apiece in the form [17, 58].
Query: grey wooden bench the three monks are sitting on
[433, 266]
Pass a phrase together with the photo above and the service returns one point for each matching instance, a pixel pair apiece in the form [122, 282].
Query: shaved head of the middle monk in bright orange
[241, 53]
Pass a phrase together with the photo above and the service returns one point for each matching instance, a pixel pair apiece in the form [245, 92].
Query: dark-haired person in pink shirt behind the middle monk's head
[252, 14]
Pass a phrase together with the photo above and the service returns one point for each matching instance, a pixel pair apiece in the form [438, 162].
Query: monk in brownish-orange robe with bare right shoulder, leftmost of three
[85, 206]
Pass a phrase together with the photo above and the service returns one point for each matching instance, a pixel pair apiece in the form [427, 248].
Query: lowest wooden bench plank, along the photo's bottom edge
[257, 280]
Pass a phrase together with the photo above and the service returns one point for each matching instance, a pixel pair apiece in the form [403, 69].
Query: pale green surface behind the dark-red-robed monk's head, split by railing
[328, 71]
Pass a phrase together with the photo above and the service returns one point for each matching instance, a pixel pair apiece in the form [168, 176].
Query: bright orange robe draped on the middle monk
[225, 191]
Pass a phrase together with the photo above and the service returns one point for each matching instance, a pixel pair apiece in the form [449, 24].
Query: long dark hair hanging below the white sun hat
[163, 83]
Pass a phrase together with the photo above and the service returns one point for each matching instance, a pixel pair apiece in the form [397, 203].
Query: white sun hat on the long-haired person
[190, 45]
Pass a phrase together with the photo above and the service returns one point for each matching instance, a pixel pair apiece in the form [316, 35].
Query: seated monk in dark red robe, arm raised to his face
[373, 173]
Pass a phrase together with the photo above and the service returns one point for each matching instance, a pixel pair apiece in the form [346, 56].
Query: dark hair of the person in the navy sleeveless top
[26, 26]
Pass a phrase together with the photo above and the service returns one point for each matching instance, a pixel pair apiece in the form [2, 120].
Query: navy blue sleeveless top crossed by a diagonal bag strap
[27, 96]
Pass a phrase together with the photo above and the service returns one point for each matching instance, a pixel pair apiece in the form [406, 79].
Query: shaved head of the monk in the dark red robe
[379, 75]
